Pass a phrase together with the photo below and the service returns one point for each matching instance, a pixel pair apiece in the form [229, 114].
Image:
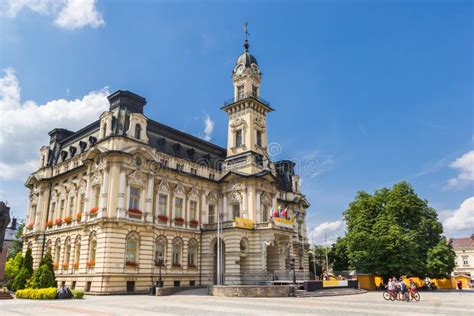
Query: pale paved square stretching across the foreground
[194, 303]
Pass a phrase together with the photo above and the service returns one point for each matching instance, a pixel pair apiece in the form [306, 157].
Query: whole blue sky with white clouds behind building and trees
[367, 93]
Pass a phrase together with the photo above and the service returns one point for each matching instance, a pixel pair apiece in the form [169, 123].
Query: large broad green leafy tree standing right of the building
[391, 232]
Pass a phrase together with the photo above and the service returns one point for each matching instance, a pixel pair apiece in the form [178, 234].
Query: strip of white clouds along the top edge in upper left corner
[68, 14]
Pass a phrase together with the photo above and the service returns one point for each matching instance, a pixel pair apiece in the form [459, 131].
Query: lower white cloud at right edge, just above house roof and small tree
[460, 219]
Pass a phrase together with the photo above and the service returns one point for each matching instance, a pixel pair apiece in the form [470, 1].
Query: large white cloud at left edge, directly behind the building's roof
[25, 126]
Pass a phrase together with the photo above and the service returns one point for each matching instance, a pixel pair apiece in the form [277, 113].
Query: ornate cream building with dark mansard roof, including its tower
[127, 197]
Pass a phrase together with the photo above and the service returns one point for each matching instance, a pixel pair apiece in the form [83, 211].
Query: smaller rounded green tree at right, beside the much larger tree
[441, 260]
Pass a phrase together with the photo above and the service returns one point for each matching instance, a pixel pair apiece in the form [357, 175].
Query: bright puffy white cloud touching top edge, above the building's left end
[79, 13]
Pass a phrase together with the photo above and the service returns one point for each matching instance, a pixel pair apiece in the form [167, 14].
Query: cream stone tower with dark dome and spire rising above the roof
[247, 129]
